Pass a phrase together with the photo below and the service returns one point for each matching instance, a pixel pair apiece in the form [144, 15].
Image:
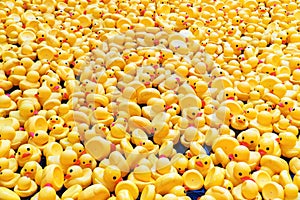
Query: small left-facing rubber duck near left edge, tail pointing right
[40, 139]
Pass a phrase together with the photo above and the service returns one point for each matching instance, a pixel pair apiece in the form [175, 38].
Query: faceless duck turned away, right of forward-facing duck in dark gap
[262, 122]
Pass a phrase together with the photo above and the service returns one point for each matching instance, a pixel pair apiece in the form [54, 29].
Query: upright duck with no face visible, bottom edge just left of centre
[141, 176]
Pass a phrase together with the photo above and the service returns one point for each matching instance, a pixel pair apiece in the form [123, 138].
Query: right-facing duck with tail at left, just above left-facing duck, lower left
[65, 159]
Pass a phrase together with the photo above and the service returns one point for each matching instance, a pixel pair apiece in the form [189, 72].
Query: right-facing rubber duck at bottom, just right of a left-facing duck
[109, 177]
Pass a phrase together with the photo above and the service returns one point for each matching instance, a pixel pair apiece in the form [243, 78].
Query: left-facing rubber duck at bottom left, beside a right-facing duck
[77, 175]
